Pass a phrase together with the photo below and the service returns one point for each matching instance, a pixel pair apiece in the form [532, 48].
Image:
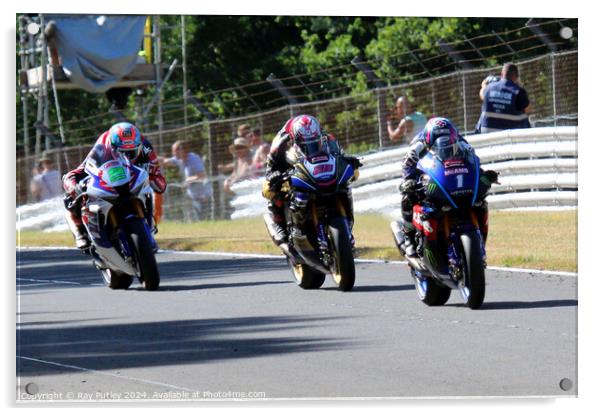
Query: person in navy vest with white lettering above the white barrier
[505, 103]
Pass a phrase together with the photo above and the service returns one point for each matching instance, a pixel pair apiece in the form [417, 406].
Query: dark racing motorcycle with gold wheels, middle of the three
[321, 184]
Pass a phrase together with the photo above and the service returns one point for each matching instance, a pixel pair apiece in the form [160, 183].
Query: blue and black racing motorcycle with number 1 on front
[450, 227]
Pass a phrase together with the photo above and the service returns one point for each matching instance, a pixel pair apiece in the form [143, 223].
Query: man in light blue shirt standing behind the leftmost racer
[192, 170]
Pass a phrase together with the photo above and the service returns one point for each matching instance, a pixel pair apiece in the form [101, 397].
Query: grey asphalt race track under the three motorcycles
[223, 327]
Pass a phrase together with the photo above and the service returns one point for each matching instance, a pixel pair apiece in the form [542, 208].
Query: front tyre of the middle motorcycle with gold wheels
[344, 265]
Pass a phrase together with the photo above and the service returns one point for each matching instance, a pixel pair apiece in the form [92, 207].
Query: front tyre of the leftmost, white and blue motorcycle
[144, 254]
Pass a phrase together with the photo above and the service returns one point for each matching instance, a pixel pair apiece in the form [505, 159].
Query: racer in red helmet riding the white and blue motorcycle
[122, 138]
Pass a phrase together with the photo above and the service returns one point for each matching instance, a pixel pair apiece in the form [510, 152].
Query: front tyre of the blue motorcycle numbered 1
[472, 286]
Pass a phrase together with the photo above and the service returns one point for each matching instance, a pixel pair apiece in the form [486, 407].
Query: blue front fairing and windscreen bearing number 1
[456, 174]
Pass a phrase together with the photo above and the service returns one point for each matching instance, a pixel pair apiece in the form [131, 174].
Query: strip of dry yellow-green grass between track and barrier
[535, 240]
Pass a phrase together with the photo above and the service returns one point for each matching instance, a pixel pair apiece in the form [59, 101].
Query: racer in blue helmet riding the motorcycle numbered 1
[443, 130]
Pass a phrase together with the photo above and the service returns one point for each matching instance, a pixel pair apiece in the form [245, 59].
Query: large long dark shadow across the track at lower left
[152, 344]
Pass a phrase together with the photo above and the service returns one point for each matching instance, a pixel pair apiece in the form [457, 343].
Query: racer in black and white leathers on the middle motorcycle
[306, 135]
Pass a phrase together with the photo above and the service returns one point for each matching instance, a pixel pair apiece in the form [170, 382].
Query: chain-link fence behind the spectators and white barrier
[358, 121]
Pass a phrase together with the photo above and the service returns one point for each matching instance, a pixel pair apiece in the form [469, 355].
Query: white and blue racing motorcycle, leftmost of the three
[116, 196]
